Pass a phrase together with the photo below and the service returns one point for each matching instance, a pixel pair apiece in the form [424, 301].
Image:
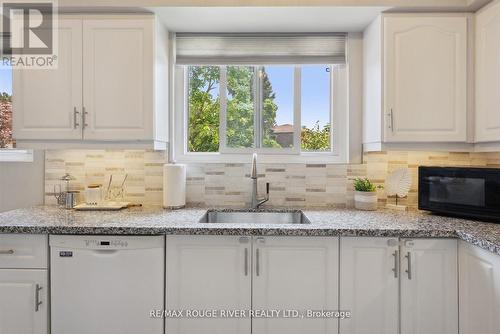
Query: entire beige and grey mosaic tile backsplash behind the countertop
[297, 185]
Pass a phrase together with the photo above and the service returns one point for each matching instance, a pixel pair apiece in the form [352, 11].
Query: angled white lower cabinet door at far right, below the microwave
[479, 290]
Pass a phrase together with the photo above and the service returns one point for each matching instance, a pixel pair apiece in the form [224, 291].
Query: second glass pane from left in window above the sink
[240, 114]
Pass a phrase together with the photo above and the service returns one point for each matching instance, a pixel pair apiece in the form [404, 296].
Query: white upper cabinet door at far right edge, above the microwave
[488, 73]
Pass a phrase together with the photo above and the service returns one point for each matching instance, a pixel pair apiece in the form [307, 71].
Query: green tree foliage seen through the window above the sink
[204, 111]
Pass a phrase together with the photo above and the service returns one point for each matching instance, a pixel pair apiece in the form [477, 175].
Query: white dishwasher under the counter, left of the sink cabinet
[106, 284]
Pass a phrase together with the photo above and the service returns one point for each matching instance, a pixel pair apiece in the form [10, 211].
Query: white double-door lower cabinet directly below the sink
[259, 274]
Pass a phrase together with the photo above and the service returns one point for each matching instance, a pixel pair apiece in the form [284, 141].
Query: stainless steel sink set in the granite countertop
[284, 217]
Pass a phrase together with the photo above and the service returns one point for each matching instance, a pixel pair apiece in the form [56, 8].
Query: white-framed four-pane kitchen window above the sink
[282, 108]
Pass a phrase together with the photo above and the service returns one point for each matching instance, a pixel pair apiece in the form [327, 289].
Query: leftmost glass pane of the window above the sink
[204, 108]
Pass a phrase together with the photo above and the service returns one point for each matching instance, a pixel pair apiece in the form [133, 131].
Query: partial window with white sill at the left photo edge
[8, 151]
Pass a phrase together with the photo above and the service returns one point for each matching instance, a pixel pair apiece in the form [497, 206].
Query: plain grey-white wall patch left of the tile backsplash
[22, 183]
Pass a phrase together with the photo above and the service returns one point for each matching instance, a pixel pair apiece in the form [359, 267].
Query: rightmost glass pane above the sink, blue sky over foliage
[315, 108]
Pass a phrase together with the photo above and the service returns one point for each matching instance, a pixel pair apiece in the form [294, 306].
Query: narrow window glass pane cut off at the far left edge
[6, 108]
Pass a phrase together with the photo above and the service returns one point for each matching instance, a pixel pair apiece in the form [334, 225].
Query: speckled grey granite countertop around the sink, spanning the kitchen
[335, 222]
